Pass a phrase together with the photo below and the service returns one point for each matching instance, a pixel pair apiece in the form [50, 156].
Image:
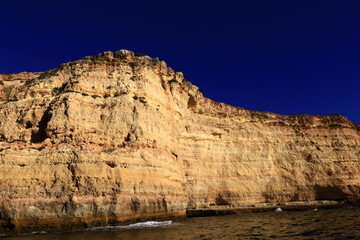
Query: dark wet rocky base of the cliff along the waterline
[79, 224]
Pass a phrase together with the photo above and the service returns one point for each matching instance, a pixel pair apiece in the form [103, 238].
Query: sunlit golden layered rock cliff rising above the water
[121, 136]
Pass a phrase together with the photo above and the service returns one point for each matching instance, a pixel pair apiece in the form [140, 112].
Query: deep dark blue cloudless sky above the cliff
[287, 57]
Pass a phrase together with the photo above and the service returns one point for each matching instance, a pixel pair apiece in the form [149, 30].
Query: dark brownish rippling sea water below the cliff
[341, 223]
